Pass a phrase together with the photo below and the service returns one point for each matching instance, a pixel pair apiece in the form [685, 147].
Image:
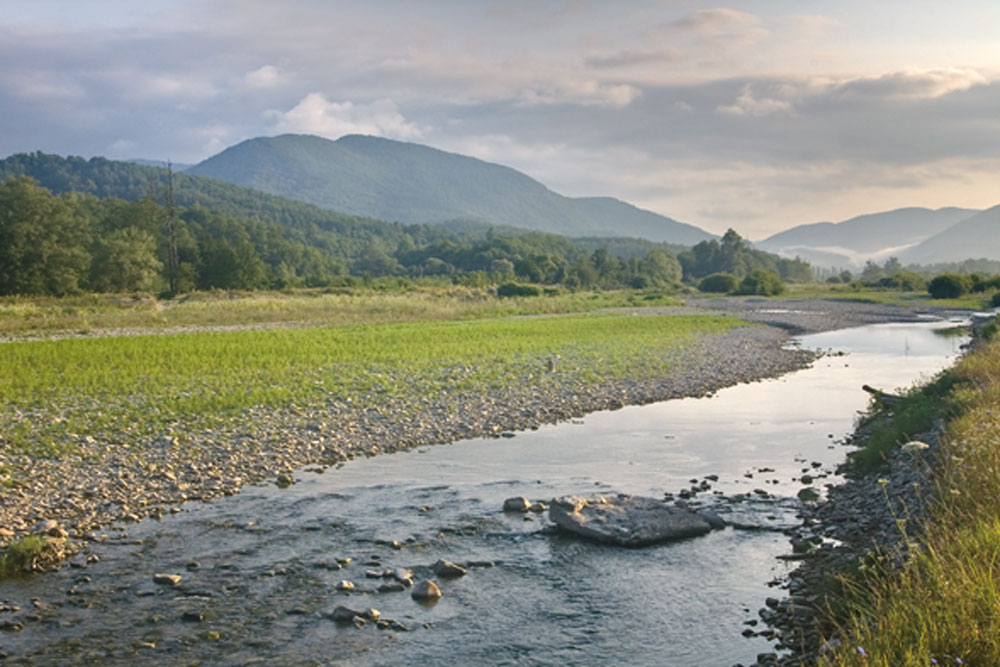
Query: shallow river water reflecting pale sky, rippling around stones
[259, 569]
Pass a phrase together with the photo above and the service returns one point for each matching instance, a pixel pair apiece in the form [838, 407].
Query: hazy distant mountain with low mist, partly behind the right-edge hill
[874, 236]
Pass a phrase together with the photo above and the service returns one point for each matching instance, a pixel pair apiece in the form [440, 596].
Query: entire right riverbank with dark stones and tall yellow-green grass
[904, 571]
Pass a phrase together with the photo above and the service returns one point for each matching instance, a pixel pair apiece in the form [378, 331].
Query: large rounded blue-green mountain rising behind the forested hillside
[412, 183]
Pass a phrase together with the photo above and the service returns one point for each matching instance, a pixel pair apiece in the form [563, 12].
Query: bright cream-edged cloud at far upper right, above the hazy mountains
[914, 83]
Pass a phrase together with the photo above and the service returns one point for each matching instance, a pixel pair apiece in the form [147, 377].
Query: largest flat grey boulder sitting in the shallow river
[624, 520]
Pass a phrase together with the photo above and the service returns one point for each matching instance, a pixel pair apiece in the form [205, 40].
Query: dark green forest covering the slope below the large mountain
[105, 226]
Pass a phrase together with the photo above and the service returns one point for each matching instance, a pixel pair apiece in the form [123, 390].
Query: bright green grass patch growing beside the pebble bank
[119, 389]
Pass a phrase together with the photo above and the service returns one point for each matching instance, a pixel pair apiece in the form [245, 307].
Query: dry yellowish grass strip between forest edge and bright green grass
[34, 316]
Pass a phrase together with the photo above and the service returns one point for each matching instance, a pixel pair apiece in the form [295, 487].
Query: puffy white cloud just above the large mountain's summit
[314, 114]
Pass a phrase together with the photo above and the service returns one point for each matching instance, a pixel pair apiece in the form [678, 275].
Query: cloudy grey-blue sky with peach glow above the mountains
[752, 115]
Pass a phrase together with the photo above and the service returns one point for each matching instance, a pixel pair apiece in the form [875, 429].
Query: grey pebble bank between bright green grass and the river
[107, 481]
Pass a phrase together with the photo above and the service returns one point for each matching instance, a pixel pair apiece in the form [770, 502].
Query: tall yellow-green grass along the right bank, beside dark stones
[944, 607]
